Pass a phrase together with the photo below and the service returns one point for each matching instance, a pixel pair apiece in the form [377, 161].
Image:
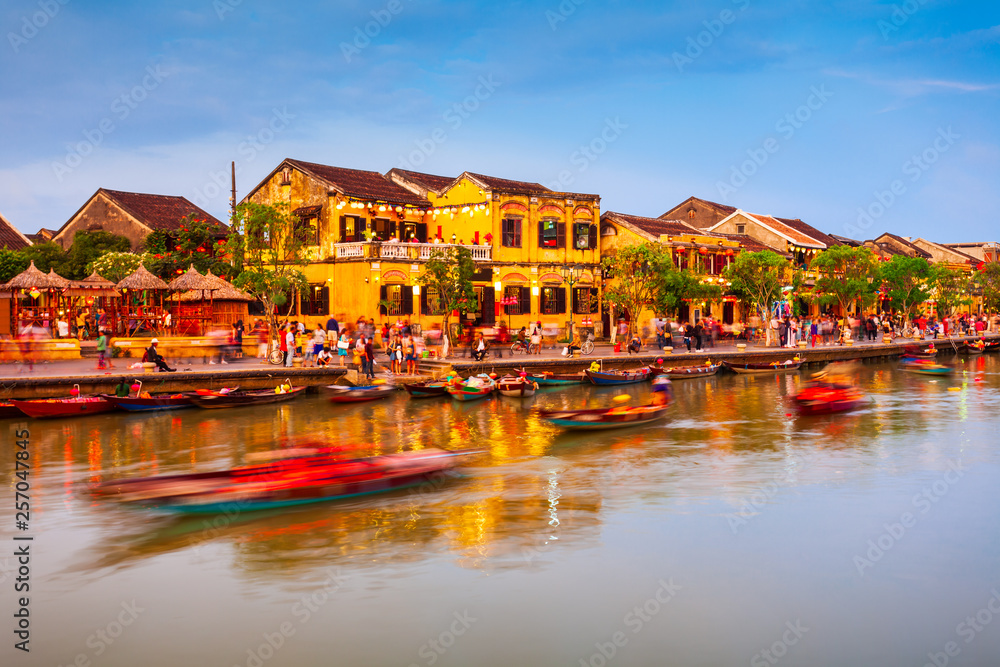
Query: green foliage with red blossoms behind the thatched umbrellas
[195, 242]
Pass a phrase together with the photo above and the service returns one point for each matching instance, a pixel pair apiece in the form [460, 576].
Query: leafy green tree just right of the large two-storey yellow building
[634, 286]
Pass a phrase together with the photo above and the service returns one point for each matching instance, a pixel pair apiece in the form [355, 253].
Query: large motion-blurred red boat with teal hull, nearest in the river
[294, 481]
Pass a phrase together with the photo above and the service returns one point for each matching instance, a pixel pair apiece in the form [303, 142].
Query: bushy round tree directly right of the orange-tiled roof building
[845, 275]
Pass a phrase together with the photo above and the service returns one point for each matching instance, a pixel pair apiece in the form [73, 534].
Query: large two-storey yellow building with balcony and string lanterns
[537, 249]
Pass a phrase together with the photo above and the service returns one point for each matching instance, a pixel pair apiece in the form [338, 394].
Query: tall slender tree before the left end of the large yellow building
[265, 247]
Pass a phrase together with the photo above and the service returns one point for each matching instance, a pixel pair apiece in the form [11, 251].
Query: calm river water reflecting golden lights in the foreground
[733, 529]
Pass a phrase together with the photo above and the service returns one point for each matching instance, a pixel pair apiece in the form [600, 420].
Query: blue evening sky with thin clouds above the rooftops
[858, 117]
